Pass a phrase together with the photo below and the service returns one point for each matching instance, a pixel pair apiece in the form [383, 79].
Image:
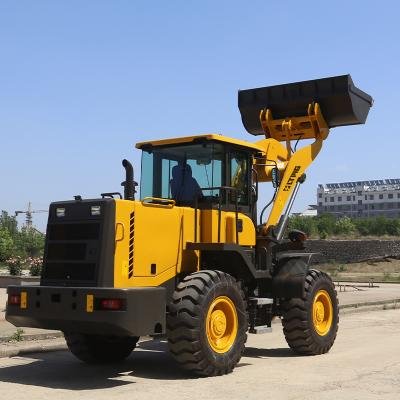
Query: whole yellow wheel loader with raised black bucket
[191, 259]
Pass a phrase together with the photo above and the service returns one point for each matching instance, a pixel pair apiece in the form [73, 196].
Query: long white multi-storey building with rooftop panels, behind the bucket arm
[360, 199]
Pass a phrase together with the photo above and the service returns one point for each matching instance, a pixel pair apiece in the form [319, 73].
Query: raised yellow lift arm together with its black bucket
[294, 112]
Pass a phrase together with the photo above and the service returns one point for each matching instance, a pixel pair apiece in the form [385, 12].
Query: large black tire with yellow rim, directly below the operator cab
[207, 323]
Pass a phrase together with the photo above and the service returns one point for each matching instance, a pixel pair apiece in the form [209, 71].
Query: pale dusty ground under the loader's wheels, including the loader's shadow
[363, 364]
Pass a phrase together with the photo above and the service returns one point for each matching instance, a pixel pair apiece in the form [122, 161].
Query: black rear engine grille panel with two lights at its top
[80, 244]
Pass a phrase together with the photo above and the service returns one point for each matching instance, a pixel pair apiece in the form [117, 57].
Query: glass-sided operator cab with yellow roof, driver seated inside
[208, 171]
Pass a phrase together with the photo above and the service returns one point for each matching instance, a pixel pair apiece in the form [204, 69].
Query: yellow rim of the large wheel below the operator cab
[221, 324]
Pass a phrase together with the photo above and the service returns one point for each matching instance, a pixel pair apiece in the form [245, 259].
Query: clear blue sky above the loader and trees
[82, 81]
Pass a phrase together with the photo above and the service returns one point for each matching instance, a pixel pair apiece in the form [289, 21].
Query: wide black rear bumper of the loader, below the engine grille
[69, 310]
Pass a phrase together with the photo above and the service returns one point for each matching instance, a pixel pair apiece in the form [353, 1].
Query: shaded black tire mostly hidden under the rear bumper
[99, 349]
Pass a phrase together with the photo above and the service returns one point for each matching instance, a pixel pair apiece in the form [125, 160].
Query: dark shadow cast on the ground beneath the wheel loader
[150, 360]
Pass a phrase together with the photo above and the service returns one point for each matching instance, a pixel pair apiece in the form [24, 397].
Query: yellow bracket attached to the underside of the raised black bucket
[310, 126]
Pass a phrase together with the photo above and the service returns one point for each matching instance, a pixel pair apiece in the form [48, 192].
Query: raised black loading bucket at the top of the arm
[340, 101]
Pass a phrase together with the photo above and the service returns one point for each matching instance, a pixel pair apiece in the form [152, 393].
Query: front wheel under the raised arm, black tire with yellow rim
[310, 324]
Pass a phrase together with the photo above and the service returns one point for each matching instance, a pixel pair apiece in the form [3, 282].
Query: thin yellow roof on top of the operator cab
[190, 139]
